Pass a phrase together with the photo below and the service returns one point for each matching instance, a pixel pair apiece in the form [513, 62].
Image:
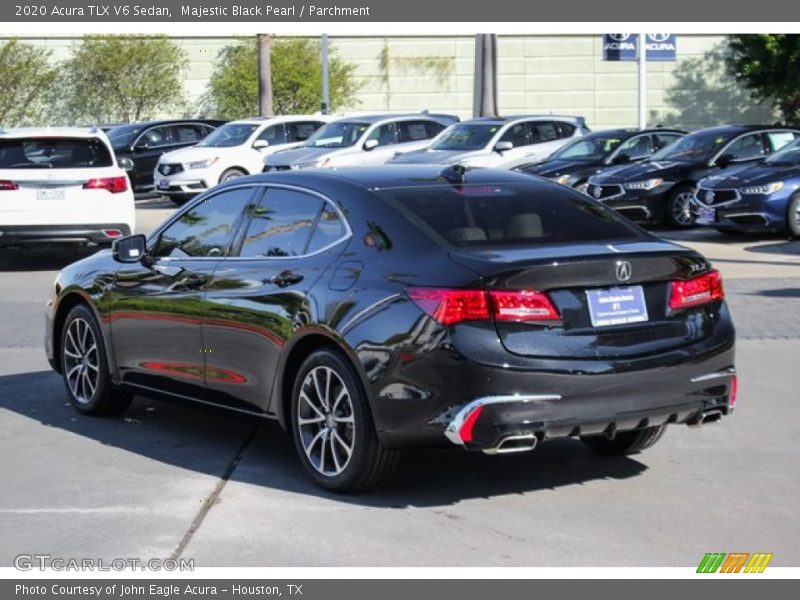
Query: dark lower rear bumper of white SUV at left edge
[94, 234]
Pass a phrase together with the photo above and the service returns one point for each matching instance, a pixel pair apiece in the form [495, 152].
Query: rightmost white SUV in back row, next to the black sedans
[498, 142]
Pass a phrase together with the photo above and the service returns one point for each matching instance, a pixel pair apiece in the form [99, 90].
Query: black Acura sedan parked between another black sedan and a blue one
[660, 190]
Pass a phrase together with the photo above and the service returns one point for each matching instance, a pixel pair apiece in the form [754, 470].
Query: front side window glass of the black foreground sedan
[205, 230]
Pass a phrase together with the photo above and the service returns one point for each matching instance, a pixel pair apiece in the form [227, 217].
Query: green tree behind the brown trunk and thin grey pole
[296, 79]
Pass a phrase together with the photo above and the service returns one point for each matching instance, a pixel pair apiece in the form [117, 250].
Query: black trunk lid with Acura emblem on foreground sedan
[567, 274]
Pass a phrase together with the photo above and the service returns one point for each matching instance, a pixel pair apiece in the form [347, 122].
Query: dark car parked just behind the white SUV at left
[138, 146]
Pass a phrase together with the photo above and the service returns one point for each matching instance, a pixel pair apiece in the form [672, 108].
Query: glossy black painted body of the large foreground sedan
[233, 331]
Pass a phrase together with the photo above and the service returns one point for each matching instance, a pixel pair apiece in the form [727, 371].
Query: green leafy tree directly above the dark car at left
[112, 78]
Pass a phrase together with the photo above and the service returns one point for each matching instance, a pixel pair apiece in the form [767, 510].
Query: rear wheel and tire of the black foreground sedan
[332, 427]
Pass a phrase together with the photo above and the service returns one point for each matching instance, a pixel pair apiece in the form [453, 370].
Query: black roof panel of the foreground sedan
[381, 178]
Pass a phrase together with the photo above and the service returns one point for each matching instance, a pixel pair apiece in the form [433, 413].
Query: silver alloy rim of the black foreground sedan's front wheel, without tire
[81, 361]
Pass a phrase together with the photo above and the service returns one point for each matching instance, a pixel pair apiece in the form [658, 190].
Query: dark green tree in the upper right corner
[769, 66]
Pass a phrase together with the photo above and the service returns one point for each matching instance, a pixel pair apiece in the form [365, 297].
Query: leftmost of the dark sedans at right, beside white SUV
[573, 164]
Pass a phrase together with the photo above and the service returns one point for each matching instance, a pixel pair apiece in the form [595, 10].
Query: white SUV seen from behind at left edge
[62, 185]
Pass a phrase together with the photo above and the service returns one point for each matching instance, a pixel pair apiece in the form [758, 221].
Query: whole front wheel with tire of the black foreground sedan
[85, 367]
